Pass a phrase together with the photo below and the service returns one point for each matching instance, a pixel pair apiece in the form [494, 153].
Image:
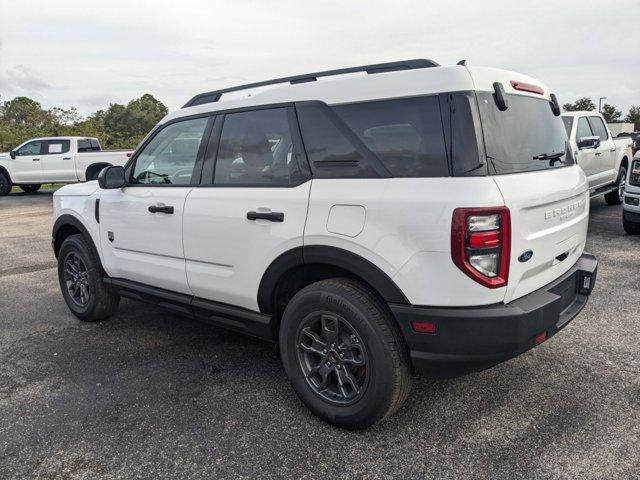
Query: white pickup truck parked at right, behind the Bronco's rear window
[603, 158]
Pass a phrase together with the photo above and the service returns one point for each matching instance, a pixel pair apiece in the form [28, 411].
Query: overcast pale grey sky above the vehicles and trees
[90, 53]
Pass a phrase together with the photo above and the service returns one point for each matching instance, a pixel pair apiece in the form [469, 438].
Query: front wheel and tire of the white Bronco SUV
[89, 298]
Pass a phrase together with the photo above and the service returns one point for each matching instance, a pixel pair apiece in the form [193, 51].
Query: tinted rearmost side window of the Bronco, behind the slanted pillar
[405, 134]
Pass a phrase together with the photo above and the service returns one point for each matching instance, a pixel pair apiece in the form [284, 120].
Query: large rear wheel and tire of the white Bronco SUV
[353, 396]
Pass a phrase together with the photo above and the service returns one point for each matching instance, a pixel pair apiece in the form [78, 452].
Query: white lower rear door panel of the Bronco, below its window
[226, 253]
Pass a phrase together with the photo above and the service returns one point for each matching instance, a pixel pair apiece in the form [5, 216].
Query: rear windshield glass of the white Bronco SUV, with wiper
[524, 138]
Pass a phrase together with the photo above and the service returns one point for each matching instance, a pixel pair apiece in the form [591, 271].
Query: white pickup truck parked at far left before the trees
[55, 160]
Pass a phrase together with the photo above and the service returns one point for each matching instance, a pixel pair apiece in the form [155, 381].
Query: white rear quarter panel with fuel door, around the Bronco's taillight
[405, 231]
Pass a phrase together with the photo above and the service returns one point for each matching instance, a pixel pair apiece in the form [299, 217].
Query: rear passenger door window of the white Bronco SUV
[257, 149]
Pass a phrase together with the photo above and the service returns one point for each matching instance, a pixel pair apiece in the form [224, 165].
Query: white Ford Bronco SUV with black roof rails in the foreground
[390, 218]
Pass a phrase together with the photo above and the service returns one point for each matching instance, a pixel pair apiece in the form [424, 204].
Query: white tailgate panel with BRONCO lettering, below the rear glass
[549, 217]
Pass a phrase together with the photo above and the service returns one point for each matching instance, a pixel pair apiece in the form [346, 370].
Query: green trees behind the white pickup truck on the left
[119, 126]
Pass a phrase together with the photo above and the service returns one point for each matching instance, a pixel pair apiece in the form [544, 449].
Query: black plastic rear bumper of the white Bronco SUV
[475, 338]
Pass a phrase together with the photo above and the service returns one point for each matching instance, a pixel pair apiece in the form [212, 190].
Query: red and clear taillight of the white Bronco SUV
[481, 244]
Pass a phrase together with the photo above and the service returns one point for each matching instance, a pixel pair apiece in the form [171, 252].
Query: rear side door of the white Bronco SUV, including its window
[254, 208]
